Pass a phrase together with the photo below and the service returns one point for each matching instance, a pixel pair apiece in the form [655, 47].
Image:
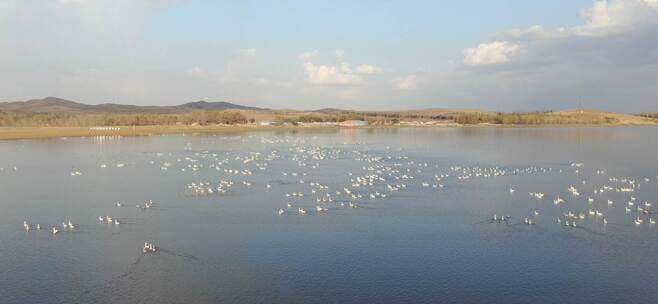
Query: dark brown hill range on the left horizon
[58, 105]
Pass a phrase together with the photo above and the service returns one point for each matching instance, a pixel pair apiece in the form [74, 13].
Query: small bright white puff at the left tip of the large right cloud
[496, 52]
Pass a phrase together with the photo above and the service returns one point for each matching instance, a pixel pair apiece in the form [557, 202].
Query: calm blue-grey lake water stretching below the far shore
[419, 244]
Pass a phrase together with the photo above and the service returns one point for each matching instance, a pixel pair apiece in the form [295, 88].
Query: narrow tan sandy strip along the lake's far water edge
[17, 133]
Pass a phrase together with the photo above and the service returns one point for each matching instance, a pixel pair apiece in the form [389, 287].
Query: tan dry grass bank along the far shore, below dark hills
[423, 118]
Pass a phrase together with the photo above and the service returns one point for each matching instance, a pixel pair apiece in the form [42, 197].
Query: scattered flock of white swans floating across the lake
[378, 175]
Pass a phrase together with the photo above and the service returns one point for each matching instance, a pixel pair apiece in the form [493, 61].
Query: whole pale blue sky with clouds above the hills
[495, 55]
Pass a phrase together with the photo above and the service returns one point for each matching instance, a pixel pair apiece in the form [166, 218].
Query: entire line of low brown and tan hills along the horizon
[24, 110]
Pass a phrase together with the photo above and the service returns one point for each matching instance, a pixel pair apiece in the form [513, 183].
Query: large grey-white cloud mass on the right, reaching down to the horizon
[607, 61]
